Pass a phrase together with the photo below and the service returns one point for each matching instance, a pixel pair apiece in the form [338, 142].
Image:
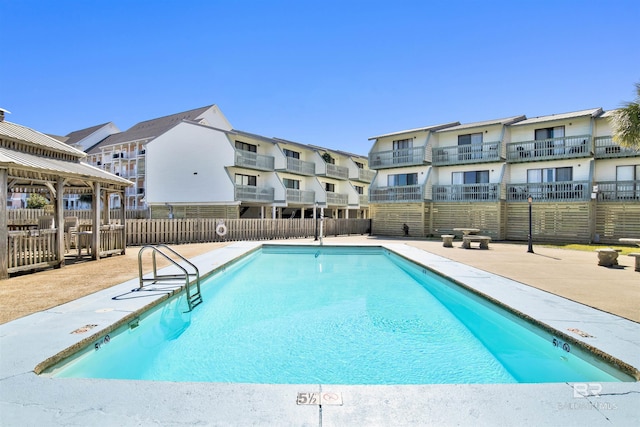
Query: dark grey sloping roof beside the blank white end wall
[150, 129]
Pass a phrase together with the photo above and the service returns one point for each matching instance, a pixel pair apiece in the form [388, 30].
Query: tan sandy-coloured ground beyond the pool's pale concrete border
[568, 273]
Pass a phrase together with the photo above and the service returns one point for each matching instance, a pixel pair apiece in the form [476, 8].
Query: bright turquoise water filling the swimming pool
[287, 315]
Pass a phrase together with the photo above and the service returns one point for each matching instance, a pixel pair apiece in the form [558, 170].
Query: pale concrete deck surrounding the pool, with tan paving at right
[504, 273]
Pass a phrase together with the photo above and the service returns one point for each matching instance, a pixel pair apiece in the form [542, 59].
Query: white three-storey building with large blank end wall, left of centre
[194, 164]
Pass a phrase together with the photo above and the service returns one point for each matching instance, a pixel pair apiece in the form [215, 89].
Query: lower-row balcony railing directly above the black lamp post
[550, 191]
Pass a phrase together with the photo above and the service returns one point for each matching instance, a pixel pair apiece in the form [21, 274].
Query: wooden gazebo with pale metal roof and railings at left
[31, 162]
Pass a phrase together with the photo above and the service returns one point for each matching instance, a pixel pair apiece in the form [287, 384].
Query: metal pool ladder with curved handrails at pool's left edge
[194, 297]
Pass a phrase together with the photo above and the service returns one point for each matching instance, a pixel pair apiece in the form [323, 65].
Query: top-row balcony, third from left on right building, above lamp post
[566, 147]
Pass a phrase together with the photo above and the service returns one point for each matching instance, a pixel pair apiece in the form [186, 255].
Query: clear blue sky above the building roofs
[328, 73]
